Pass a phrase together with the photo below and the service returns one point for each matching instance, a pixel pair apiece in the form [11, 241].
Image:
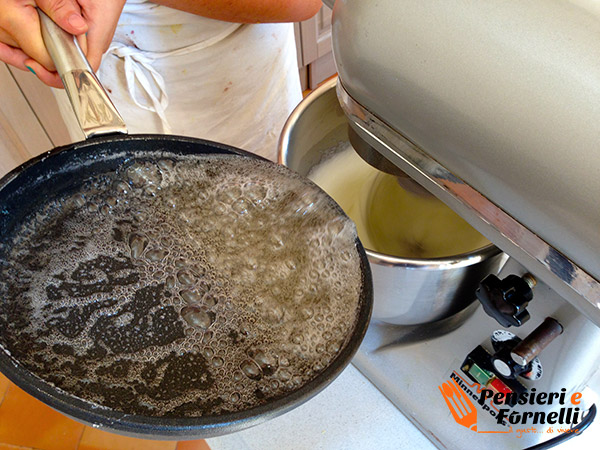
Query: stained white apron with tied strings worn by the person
[172, 72]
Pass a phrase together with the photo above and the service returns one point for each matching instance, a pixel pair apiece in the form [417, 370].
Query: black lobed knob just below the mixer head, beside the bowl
[505, 300]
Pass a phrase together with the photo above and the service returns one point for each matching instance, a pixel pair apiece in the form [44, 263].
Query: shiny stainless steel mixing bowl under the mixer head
[407, 291]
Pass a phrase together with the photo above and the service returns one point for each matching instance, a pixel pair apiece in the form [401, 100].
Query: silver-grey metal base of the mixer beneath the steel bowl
[408, 366]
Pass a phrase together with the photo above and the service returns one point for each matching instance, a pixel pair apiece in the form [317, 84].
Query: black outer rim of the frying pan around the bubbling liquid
[182, 427]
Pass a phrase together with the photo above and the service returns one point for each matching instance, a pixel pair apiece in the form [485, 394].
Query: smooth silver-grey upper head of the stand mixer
[505, 95]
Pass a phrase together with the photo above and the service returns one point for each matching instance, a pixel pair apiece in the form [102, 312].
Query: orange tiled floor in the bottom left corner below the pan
[26, 424]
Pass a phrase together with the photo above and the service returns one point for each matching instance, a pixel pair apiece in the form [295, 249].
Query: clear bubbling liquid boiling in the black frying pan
[182, 287]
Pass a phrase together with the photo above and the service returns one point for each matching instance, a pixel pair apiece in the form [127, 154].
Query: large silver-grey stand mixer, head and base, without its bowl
[493, 108]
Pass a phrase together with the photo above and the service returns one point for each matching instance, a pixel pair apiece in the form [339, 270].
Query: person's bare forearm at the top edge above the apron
[248, 11]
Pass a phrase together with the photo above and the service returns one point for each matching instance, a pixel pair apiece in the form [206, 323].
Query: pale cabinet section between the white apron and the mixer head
[315, 56]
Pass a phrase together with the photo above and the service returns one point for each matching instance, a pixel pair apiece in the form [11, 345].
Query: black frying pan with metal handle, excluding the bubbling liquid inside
[27, 187]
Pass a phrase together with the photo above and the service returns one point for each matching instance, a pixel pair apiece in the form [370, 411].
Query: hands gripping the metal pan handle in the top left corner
[21, 43]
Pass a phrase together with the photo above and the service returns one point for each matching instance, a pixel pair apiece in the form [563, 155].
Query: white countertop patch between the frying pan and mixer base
[349, 414]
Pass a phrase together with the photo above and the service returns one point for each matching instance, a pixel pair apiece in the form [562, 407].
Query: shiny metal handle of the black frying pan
[95, 112]
